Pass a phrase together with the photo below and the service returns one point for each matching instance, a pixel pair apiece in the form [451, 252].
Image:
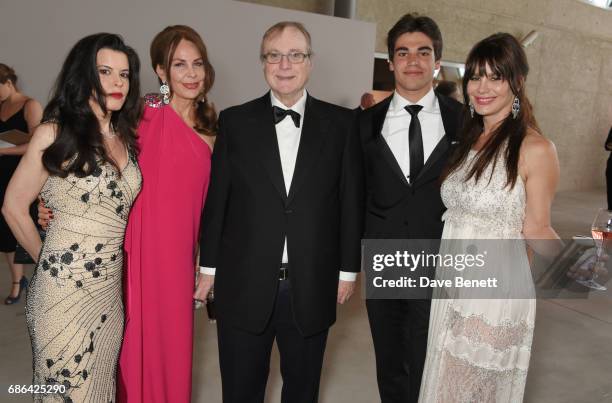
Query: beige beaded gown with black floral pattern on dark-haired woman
[74, 308]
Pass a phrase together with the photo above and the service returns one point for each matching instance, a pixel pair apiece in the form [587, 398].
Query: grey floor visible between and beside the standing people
[571, 360]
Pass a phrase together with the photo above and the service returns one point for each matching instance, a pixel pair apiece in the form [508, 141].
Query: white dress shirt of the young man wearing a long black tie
[397, 123]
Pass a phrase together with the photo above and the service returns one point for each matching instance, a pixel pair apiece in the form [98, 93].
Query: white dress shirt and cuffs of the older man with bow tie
[288, 137]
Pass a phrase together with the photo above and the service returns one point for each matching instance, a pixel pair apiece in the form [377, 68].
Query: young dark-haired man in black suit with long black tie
[406, 141]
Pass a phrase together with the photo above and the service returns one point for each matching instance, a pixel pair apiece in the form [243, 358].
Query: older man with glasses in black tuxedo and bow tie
[282, 225]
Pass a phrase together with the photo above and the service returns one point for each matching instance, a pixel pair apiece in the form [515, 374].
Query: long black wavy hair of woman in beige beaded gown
[79, 146]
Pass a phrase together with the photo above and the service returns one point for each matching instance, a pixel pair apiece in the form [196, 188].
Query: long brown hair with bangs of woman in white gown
[506, 58]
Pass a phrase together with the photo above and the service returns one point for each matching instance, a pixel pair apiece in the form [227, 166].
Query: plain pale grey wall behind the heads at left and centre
[35, 37]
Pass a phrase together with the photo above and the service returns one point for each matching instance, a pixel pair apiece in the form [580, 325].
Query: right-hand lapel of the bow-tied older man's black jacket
[316, 124]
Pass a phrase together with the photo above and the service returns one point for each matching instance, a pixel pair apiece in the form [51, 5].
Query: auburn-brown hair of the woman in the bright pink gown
[162, 52]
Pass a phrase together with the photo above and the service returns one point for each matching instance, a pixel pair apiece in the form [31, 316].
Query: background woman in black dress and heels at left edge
[22, 113]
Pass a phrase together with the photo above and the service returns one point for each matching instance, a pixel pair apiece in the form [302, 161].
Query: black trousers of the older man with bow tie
[244, 357]
